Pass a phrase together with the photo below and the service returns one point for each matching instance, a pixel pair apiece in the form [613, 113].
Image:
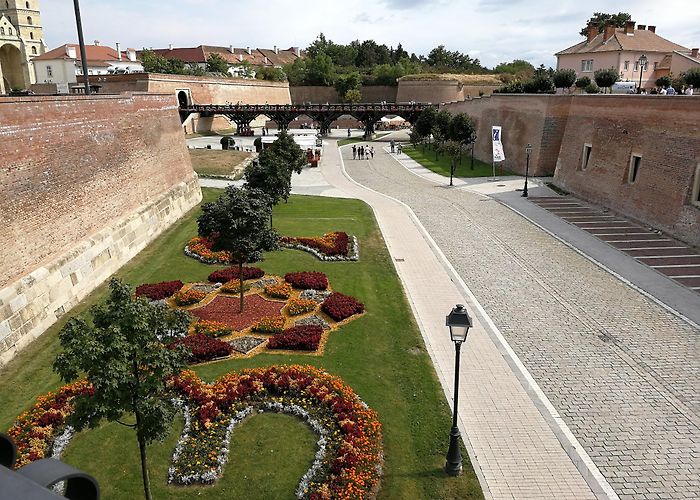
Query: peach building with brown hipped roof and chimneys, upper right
[621, 48]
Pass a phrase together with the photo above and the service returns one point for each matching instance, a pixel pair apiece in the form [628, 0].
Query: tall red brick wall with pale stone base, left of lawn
[85, 184]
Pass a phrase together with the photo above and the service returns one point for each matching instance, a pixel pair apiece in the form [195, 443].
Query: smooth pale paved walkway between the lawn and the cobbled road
[513, 448]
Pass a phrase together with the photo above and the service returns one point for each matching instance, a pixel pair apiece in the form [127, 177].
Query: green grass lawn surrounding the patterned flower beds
[381, 356]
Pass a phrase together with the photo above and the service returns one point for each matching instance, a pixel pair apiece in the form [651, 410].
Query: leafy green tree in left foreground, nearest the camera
[123, 356]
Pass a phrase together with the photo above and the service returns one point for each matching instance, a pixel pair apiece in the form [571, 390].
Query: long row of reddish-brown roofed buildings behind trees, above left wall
[234, 56]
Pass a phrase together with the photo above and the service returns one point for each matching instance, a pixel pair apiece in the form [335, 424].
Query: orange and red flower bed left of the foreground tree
[35, 430]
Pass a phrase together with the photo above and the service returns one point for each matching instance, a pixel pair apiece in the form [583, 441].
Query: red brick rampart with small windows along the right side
[663, 131]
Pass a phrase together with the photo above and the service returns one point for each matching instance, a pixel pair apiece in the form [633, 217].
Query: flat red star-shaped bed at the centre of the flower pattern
[225, 310]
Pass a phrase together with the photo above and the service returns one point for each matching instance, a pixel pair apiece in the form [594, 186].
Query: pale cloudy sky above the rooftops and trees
[492, 30]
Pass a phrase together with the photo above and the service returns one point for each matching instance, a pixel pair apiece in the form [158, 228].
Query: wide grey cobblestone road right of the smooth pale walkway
[621, 370]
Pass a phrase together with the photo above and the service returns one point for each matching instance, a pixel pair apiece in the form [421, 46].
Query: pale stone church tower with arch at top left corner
[21, 39]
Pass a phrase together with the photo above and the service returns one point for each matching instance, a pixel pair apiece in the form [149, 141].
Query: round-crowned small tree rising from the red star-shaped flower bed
[237, 222]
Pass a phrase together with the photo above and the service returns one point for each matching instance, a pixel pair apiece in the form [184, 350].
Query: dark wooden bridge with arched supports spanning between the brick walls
[324, 114]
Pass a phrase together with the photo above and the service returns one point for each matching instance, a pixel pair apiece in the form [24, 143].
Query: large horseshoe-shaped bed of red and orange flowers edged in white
[349, 457]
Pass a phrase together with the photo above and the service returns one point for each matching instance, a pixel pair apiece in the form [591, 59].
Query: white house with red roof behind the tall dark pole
[64, 64]
